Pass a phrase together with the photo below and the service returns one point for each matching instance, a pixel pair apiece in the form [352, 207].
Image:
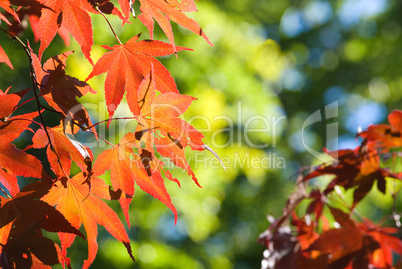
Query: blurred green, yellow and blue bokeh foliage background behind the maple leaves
[273, 64]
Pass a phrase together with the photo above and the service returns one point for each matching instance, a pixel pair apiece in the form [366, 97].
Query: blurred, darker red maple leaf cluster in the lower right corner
[352, 241]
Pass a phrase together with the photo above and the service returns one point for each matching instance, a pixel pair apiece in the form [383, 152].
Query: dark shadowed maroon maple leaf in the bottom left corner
[22, 218]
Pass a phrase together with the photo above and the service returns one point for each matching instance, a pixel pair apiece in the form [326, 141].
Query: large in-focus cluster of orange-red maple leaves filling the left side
[60, 201]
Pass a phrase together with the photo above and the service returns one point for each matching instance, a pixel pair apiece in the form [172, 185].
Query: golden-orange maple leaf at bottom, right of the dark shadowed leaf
[80, 206]
